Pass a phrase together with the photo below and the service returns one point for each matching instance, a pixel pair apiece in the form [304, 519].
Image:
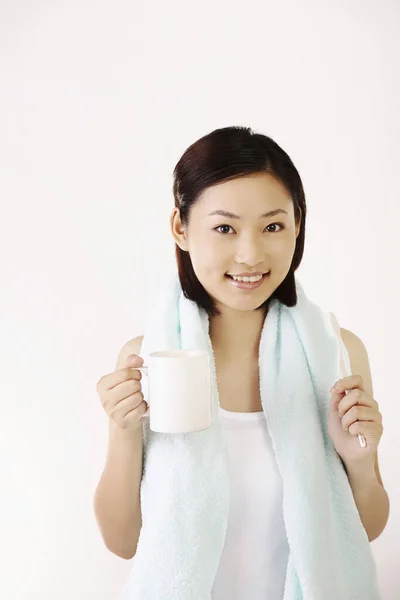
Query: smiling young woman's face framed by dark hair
[222, 245]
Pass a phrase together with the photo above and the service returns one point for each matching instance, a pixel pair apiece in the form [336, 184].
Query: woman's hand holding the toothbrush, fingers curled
[352, 413]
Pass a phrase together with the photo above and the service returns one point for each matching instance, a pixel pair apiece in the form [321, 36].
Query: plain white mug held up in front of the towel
[179, 391]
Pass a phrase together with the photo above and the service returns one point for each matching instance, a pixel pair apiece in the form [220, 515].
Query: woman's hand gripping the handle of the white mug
[121, 394]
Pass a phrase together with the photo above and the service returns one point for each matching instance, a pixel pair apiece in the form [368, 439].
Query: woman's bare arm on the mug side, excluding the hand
[117, 496]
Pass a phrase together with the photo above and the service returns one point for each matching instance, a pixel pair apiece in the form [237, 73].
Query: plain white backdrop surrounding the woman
[98, 100]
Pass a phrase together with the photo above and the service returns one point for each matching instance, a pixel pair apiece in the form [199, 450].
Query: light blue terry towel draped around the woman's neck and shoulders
[185, 487]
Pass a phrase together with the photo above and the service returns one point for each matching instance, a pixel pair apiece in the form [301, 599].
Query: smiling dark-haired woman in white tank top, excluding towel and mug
[239, 229]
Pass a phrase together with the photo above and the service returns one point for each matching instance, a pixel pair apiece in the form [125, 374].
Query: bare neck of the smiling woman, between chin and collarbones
[237, 334]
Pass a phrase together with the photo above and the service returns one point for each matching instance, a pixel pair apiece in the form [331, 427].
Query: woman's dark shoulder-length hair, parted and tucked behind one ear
[222, 155]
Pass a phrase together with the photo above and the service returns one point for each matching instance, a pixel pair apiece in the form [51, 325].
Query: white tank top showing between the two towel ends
[254, 559]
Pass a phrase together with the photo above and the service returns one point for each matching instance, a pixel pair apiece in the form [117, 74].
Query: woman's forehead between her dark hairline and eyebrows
[244, 192]
